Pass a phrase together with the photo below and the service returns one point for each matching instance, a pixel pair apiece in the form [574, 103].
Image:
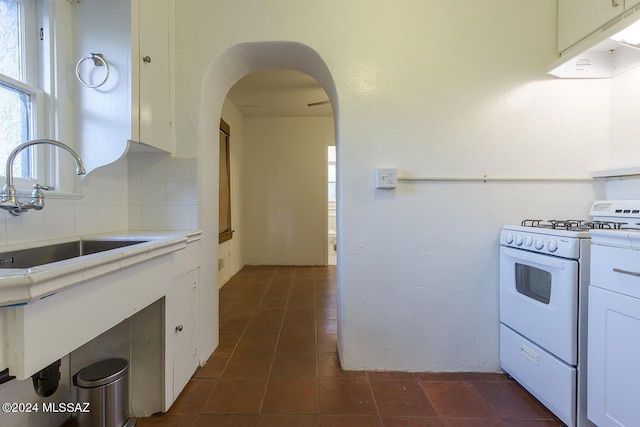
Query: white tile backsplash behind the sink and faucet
[142, 191]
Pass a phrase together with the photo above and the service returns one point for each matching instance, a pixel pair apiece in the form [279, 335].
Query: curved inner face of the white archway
[226, 69]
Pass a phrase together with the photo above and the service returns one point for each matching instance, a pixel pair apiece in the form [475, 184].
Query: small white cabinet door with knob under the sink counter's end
[185, 315]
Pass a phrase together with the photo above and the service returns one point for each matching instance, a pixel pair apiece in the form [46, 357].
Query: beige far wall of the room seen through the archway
[285, 198]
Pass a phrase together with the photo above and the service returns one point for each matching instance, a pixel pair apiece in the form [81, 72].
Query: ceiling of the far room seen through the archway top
[278, 92]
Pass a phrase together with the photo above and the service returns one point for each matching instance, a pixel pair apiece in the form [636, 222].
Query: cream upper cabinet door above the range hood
[579, 18]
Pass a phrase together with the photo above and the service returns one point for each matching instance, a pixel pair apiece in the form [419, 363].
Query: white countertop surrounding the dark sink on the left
[20, 286]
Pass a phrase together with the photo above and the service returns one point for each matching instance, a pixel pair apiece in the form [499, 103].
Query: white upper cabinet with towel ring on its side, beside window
[134, 101]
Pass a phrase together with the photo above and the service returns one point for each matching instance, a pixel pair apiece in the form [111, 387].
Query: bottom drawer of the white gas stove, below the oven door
[550, 380]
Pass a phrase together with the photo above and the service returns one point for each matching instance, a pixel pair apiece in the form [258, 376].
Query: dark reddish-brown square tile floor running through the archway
[277, 365]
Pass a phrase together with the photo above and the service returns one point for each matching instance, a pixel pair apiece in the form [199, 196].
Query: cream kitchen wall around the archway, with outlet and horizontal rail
[432, 88]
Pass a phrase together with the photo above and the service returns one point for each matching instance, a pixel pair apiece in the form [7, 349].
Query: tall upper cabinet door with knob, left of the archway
[155, 117]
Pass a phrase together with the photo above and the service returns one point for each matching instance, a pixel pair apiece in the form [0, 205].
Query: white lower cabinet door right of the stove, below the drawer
[613, 369]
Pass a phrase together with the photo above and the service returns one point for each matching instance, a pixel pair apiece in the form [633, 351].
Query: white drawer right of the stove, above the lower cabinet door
[616, 269]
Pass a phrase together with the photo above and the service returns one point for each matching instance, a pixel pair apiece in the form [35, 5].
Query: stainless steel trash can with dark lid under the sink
[105, 386]
